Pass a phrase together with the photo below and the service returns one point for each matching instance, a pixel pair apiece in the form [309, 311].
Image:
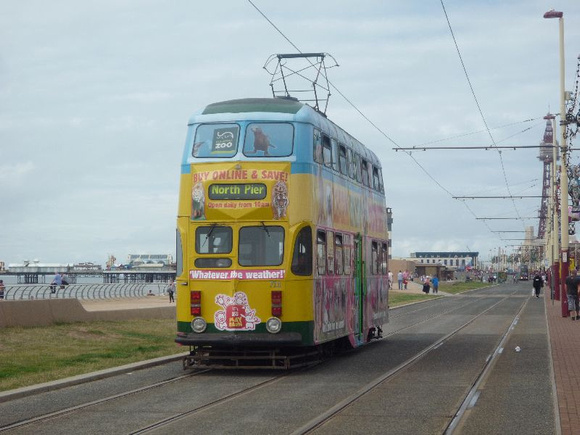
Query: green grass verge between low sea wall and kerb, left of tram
[35, 355]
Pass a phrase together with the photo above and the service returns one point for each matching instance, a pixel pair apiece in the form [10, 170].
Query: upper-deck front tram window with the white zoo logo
[215, 140]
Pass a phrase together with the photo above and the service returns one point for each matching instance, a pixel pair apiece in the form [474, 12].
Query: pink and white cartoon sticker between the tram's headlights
[236, 314]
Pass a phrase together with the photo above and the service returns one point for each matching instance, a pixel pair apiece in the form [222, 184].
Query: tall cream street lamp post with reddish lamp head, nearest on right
[563, 169]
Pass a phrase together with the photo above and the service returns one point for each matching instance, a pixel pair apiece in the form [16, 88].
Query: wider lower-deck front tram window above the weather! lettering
[261, 246]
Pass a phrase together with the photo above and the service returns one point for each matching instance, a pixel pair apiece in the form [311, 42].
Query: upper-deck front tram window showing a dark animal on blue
[269, 139]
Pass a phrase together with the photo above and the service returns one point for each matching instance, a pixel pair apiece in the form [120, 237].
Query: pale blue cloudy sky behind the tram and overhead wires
[95, 98]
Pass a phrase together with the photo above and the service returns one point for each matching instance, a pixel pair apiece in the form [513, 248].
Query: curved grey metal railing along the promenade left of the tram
[82, 291]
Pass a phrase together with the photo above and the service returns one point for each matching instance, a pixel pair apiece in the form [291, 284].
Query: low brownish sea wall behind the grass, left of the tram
[45, 312]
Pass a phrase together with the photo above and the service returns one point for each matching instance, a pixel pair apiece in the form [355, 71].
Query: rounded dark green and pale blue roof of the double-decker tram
[278, 109]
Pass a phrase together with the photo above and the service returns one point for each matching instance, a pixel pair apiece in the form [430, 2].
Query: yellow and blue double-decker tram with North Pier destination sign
[281, 236]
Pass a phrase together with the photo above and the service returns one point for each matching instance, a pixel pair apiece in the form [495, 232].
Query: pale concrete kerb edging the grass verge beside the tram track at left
[6, 396]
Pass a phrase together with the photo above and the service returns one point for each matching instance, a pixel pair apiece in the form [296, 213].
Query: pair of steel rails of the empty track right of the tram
[314, 424]
